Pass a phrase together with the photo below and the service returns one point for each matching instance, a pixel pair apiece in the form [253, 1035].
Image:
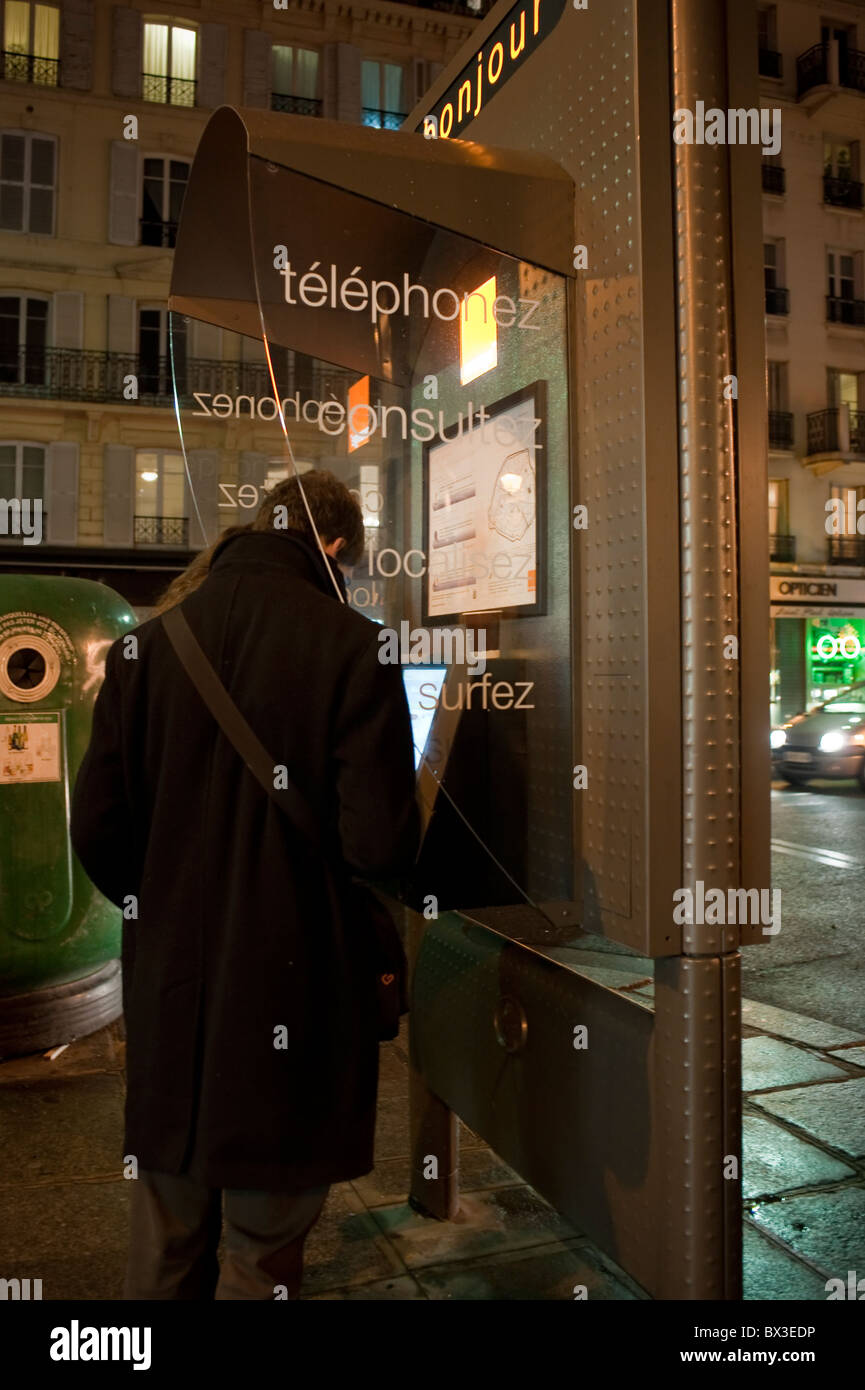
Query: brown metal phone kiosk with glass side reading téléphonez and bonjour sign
[512, 340]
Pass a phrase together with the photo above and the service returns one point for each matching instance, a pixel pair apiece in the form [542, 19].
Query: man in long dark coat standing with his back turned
[252, 1054]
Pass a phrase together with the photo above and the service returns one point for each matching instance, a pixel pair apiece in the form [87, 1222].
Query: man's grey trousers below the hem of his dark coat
[176, 1227]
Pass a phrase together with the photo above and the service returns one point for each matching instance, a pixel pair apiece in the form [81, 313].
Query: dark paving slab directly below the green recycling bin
[70, 1128]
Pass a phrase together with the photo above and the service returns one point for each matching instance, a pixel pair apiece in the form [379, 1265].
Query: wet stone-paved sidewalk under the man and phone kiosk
[63, 1197]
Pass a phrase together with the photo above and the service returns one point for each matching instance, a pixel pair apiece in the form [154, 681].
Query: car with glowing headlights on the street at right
[827, 742]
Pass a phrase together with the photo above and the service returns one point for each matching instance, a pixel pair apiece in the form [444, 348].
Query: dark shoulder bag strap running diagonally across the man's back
[233, 723]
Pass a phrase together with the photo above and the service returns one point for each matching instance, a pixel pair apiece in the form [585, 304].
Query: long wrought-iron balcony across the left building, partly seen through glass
[70, 375]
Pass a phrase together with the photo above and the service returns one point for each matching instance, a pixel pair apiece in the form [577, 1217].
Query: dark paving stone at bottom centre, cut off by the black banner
[540, 1275]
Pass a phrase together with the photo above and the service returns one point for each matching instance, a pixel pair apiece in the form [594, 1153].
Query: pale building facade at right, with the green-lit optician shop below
[813, 70]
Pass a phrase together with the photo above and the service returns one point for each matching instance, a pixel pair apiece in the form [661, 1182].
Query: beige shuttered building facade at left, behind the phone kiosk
[101, 112]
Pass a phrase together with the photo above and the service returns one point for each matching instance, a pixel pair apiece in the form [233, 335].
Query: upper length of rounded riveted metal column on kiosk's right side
[707, 473]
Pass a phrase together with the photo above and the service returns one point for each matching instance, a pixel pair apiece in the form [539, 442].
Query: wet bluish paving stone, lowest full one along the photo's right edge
[825, 1228]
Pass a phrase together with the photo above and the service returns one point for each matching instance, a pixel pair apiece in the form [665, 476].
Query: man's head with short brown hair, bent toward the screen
[336, 512]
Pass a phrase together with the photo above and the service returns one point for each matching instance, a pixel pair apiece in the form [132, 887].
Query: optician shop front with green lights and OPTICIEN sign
[818, 641]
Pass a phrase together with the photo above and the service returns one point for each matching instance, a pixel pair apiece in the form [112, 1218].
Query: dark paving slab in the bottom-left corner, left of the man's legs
[73, 1236]
